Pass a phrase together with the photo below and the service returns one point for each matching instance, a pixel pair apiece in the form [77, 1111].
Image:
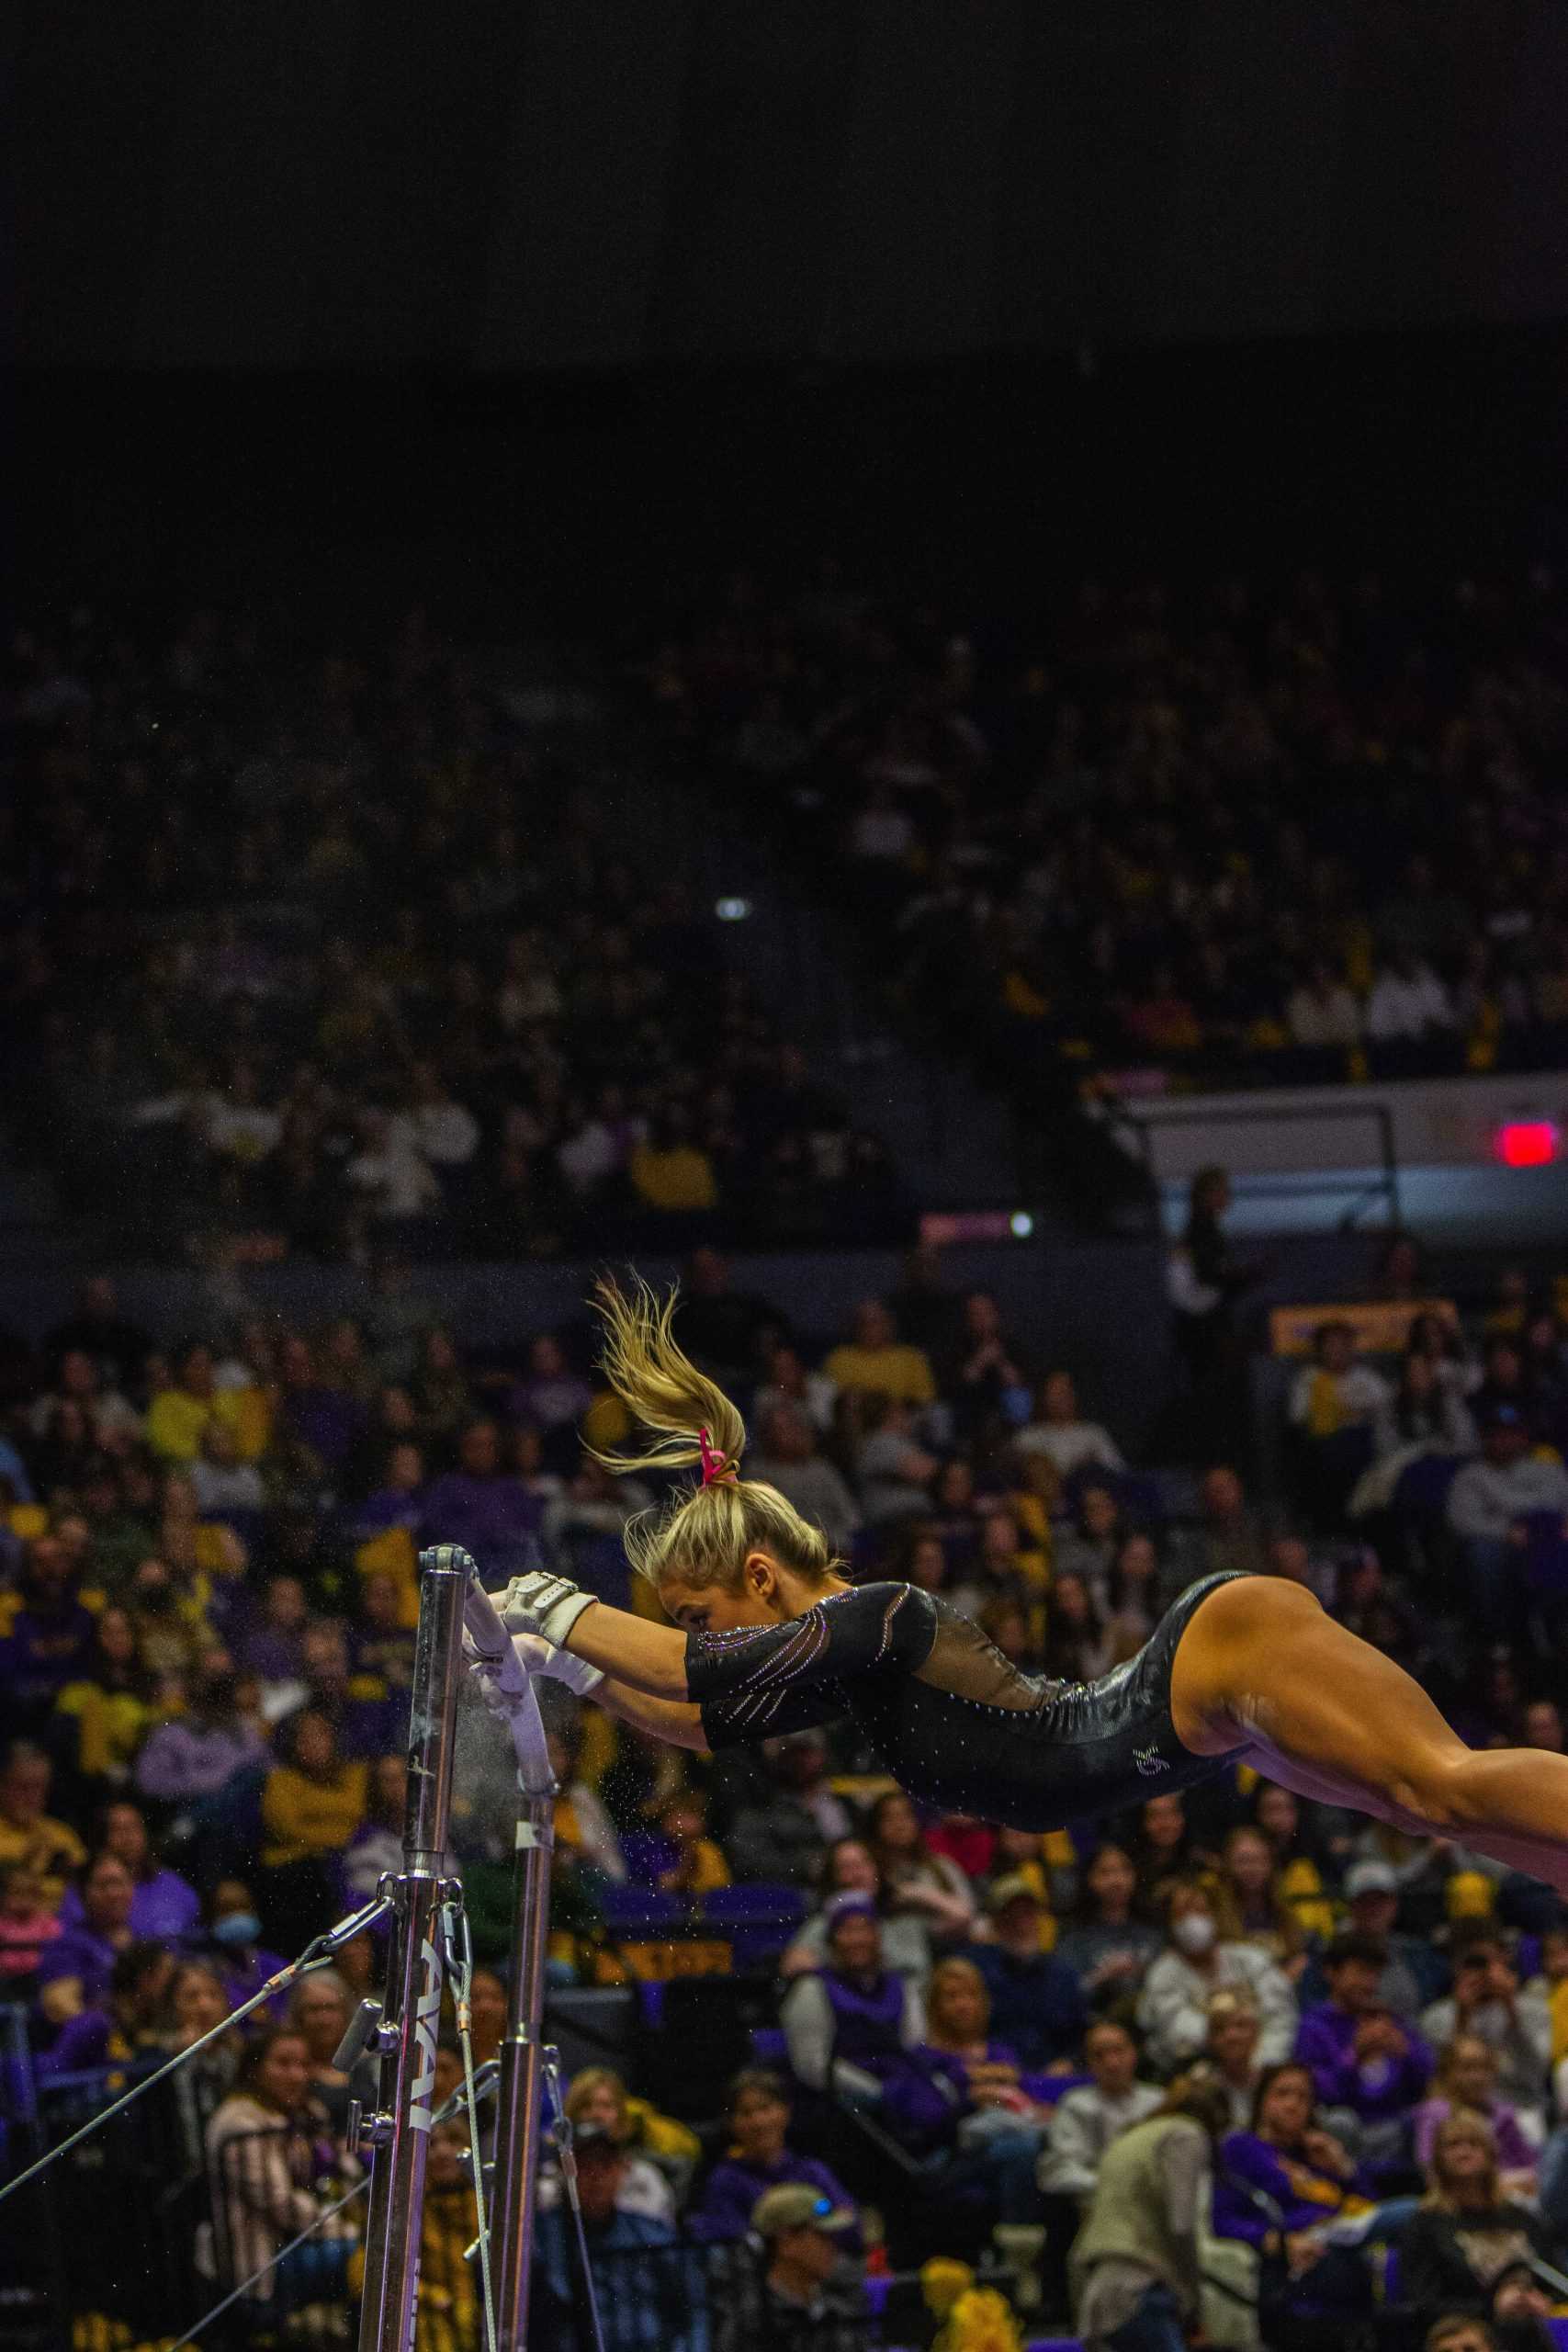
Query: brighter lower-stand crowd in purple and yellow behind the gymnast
[1233, 2038]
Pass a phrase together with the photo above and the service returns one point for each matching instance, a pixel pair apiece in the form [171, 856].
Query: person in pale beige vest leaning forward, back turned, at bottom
[1137, 2259]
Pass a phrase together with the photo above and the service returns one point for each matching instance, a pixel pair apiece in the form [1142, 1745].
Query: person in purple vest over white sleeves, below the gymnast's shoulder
[850, 2024]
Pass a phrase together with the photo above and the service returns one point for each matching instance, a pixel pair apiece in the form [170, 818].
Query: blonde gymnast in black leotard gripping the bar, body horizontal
[768, 1636]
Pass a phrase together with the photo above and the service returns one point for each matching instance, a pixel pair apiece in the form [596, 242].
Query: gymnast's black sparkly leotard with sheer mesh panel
[951, 1718]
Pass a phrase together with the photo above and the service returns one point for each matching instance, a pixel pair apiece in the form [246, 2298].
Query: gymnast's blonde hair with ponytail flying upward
[702, 1537]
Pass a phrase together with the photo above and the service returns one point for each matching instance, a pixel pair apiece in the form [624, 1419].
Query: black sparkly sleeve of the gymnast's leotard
[763, 1681]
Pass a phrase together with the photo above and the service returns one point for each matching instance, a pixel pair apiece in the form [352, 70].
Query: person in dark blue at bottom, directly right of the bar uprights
[645, 2306]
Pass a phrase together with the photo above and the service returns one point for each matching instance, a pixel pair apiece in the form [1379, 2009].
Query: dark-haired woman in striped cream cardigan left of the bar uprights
[272, 2181]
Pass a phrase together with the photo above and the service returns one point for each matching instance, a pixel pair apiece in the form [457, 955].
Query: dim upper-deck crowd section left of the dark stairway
[326, 951]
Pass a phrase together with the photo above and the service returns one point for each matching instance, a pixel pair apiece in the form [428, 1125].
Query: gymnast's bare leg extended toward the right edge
[1334, 1718]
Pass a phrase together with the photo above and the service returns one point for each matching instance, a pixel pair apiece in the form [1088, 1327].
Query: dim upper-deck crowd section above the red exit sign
[1238, 831]
